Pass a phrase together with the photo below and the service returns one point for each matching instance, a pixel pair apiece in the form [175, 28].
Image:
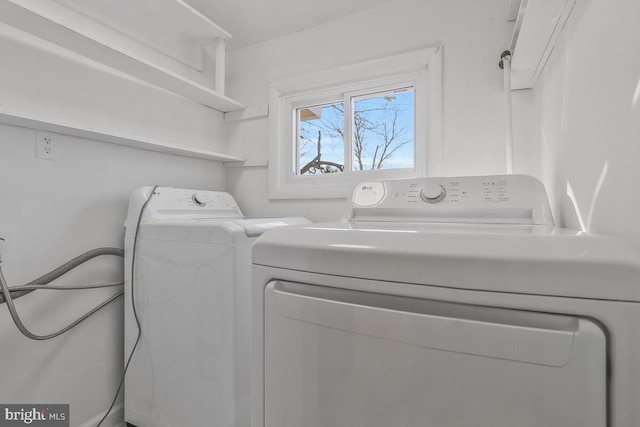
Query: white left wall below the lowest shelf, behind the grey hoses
[52, 212]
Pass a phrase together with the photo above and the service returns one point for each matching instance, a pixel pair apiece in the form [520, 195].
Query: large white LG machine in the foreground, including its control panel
[446, 302]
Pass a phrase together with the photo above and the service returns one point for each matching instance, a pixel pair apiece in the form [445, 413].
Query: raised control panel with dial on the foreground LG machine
[495, 199]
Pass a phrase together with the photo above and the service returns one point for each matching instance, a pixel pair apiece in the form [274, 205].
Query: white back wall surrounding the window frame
[472, 33]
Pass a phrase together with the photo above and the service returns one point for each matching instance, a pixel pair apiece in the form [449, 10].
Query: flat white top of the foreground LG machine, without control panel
[540, 260]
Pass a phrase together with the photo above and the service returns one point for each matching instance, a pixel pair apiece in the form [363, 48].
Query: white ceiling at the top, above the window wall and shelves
[255, 21]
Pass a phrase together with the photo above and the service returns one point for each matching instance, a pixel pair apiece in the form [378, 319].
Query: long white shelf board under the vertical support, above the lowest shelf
[88, 38]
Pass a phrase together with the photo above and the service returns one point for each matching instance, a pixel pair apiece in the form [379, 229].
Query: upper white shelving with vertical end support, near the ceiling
[158, 41]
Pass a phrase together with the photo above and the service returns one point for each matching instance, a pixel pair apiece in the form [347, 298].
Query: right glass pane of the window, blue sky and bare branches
[383, 130]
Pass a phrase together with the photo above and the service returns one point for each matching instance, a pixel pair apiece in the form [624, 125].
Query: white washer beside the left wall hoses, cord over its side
[192, 294]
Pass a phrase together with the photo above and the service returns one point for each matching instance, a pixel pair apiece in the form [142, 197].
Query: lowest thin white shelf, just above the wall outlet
[31, 121]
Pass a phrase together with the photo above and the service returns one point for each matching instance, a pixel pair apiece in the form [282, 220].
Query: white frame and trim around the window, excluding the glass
[422, 66]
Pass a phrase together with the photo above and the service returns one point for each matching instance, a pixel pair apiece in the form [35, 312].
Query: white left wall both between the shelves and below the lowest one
[52, 211]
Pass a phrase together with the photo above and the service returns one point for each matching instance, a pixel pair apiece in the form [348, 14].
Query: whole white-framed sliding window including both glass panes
[372, 120]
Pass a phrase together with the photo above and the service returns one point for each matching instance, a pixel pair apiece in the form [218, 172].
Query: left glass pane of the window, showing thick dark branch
[320, 144]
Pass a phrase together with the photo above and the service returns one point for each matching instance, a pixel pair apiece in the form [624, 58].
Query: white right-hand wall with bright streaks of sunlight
[589, 126]
